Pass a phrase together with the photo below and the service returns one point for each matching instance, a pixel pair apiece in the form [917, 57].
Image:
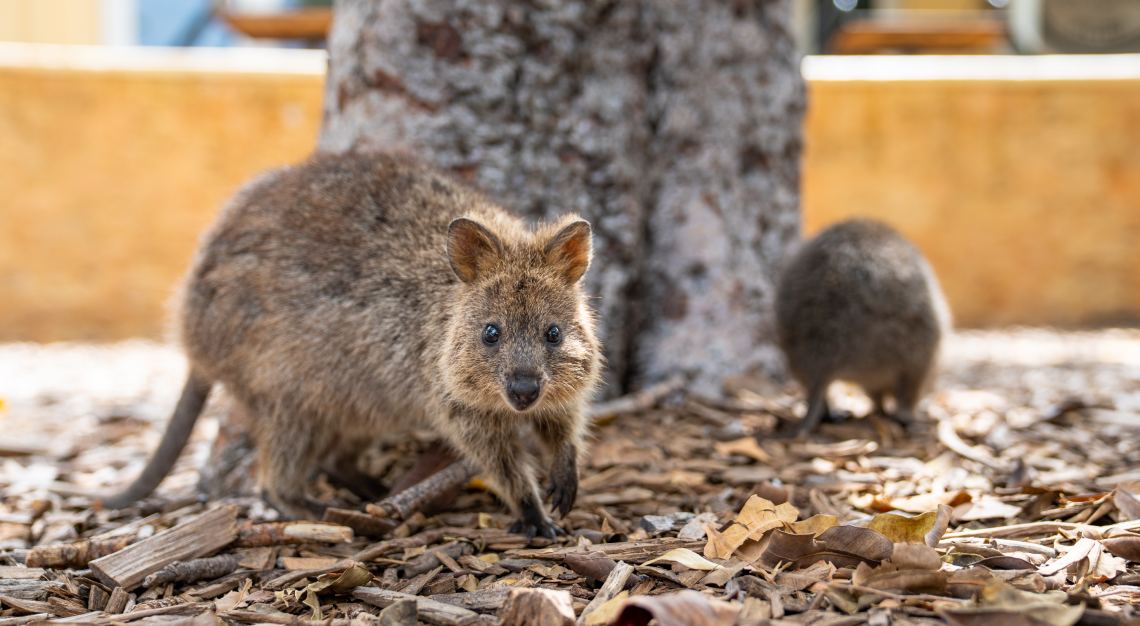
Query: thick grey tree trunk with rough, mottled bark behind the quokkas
[673, 127]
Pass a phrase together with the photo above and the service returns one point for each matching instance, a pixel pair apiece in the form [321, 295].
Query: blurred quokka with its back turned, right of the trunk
[860, 304]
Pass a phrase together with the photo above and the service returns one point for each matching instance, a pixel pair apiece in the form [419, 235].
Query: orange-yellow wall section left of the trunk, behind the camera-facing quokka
[108, 176]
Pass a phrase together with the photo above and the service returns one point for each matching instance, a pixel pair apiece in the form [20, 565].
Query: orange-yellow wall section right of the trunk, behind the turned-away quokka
[1025, 194]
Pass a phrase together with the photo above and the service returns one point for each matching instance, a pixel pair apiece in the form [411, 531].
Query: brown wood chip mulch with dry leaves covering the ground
[1019, 503]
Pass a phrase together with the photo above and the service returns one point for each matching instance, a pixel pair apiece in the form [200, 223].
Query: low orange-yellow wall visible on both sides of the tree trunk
[1025, 194]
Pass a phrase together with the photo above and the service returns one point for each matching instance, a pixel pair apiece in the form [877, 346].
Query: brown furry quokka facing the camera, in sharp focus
[354, 295]
